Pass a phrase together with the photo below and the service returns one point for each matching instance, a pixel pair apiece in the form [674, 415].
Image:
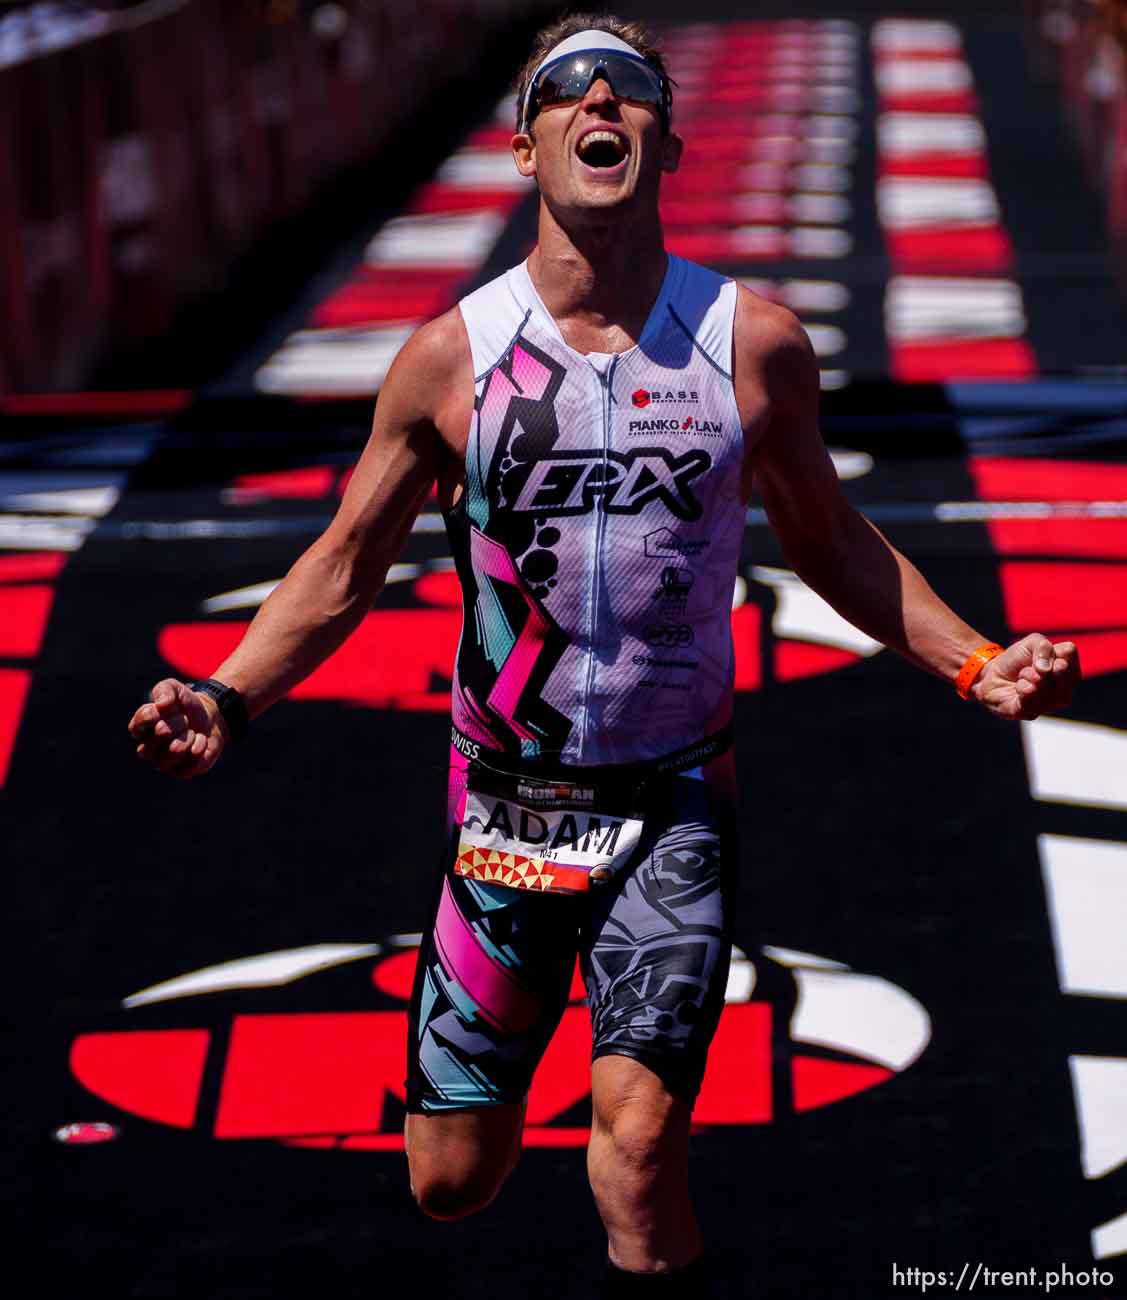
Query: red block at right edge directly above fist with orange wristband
[1065, 595]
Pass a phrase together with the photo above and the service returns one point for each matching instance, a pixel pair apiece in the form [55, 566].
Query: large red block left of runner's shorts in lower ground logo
[323, 1073]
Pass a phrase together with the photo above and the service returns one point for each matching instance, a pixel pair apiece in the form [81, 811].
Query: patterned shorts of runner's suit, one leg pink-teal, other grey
[496, 965]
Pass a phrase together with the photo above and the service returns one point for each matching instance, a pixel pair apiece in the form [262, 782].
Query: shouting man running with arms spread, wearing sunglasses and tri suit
[595, 421]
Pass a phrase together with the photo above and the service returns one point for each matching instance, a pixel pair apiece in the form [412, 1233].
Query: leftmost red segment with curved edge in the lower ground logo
[155, 1074]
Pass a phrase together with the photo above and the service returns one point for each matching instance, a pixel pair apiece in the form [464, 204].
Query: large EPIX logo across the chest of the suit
[567, 483]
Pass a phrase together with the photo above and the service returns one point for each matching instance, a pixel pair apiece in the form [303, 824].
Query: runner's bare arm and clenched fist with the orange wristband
[848, 561]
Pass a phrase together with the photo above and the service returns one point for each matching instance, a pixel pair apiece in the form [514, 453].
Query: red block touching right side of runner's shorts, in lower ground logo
[738, 1082]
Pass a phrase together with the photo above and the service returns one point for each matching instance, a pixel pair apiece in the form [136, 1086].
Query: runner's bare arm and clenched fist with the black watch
[333, 584]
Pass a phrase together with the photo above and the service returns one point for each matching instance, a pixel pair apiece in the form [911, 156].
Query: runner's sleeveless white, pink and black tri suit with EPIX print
[591, 798]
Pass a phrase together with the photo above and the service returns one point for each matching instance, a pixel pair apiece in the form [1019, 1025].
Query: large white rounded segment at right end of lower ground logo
[862, 1015]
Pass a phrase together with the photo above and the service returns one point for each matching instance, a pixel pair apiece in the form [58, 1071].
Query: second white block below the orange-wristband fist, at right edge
[1086, 883]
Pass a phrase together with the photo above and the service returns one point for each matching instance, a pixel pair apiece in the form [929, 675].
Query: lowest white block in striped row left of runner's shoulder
[335, 361]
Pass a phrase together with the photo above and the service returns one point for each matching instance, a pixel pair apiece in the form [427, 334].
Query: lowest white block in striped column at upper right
[940, 307]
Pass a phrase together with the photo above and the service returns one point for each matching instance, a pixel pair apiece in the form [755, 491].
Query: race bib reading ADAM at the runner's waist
[539, 835]
